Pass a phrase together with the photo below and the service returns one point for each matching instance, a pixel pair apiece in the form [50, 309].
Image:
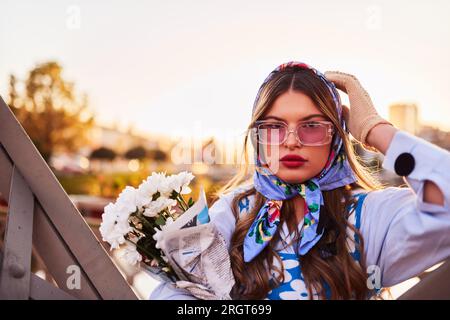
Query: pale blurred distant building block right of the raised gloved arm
[405, 117]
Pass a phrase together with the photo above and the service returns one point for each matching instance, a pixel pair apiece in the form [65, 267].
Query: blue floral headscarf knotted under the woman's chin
[336, 173]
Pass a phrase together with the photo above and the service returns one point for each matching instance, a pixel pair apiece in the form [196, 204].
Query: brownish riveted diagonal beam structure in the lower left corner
[40, 214]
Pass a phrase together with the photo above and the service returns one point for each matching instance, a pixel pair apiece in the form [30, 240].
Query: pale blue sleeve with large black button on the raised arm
[403, 235]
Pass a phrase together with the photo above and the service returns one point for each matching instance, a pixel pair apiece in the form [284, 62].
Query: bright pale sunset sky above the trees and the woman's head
[175, 67]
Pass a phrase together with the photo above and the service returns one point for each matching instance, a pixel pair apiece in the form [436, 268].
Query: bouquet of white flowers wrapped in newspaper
[170, 236]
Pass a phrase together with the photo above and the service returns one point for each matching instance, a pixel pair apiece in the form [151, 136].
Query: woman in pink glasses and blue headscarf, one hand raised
[312, 223]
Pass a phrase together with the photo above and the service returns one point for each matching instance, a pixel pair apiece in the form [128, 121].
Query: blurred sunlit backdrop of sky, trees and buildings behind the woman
[110, 91]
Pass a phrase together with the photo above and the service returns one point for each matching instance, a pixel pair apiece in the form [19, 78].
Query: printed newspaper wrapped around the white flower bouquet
[198, 254]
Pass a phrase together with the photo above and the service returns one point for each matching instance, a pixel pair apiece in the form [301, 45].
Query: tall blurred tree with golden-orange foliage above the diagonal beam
[55, 118]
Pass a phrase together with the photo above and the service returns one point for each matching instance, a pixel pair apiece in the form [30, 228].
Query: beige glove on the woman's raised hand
[362, 116]
